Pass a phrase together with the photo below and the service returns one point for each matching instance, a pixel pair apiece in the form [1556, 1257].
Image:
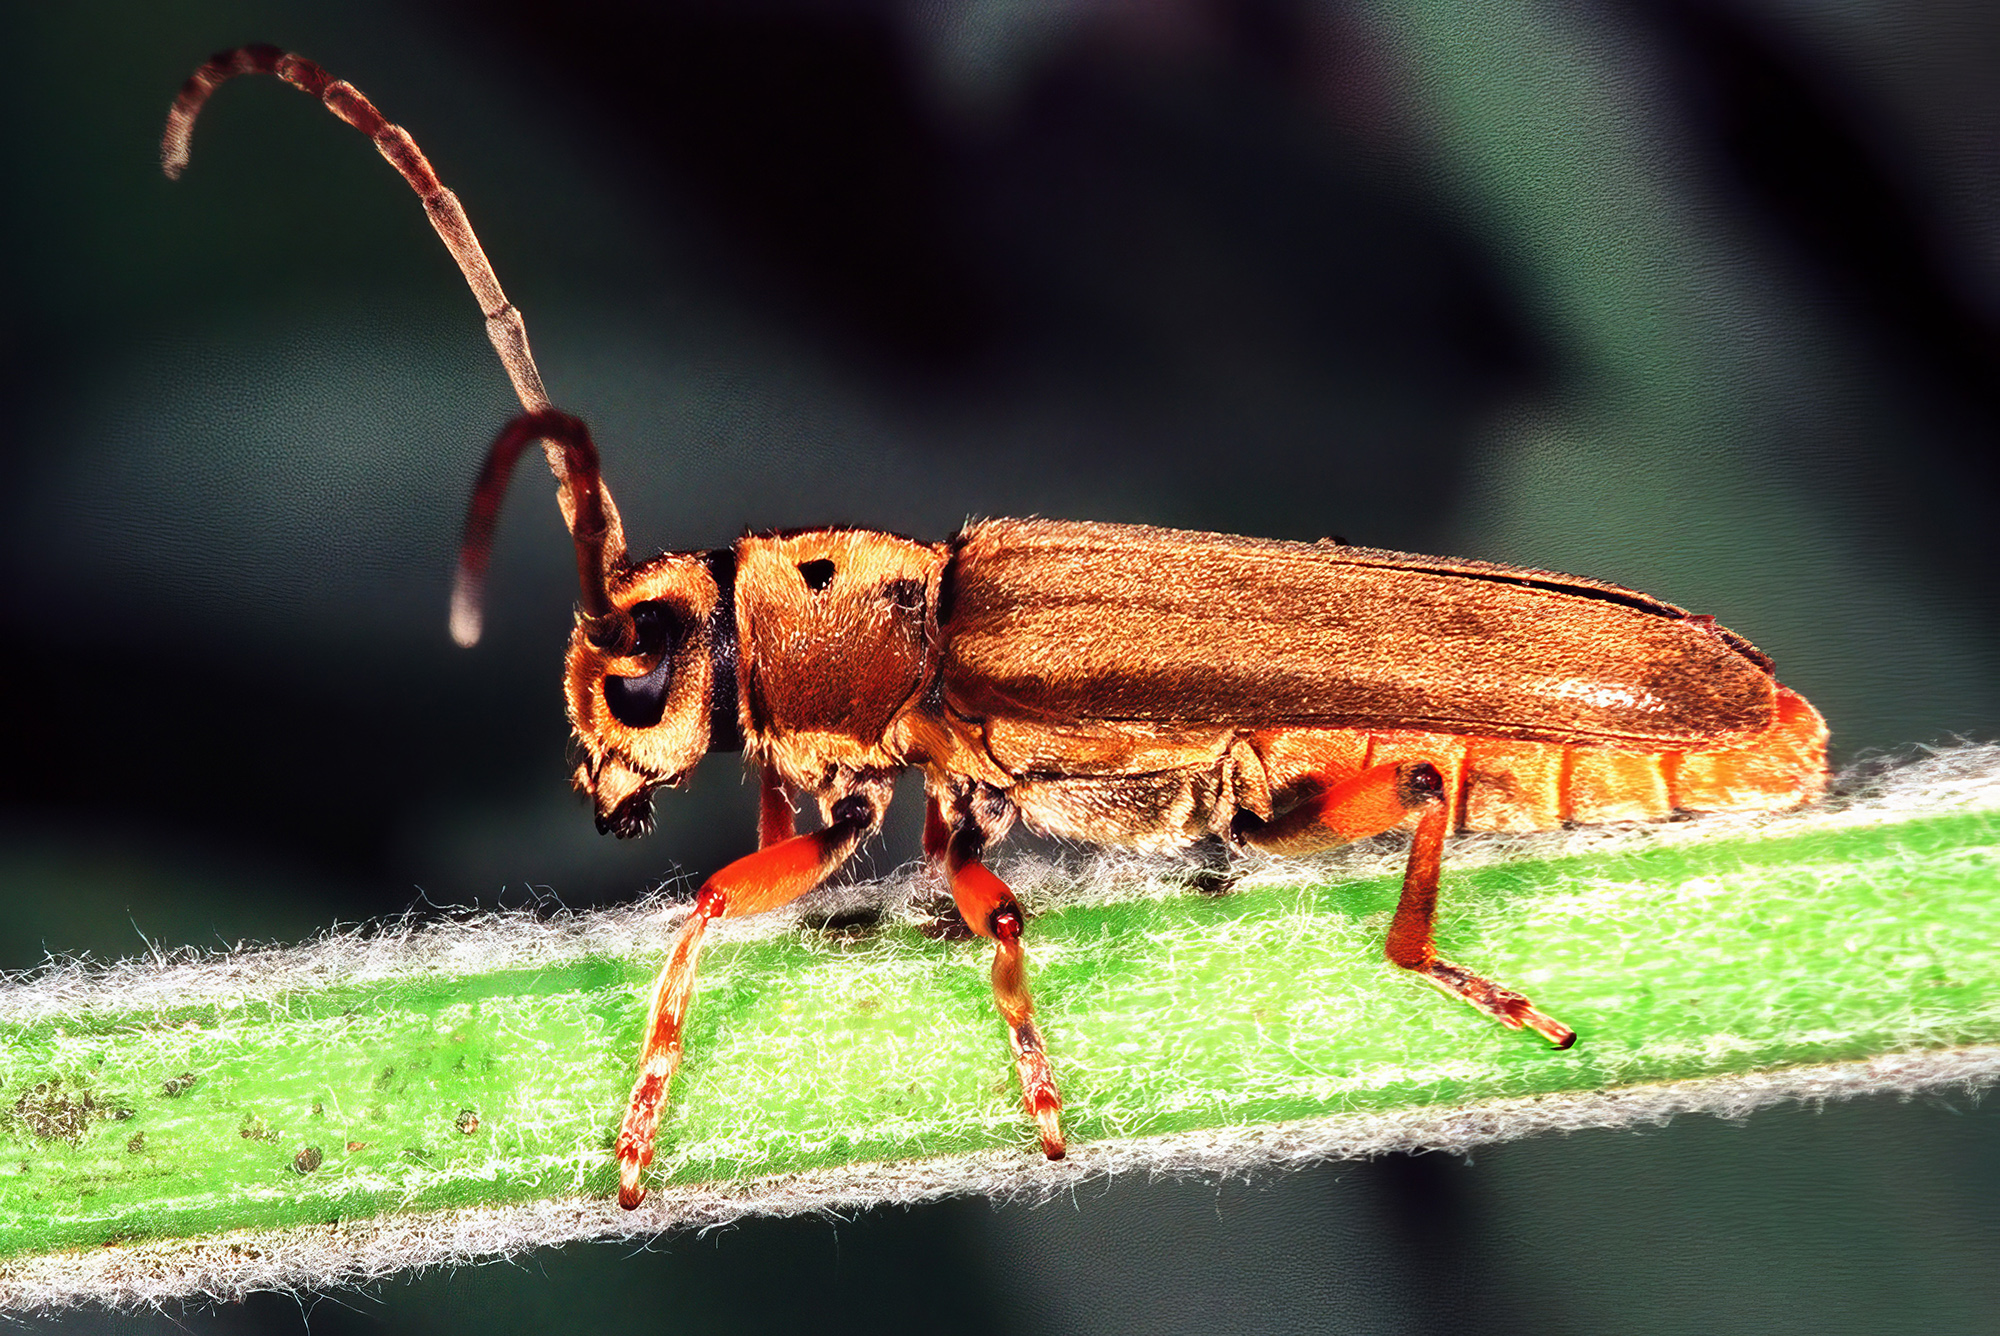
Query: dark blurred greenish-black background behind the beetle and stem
[1699, 297]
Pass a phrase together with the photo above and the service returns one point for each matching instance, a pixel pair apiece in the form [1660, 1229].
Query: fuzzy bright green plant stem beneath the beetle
[485, 1065]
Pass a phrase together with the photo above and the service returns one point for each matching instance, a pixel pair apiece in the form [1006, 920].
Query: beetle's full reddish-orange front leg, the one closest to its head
[751, 885]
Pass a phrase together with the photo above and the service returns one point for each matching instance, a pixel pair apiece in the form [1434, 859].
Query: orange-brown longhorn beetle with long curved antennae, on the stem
[1101, 683]
